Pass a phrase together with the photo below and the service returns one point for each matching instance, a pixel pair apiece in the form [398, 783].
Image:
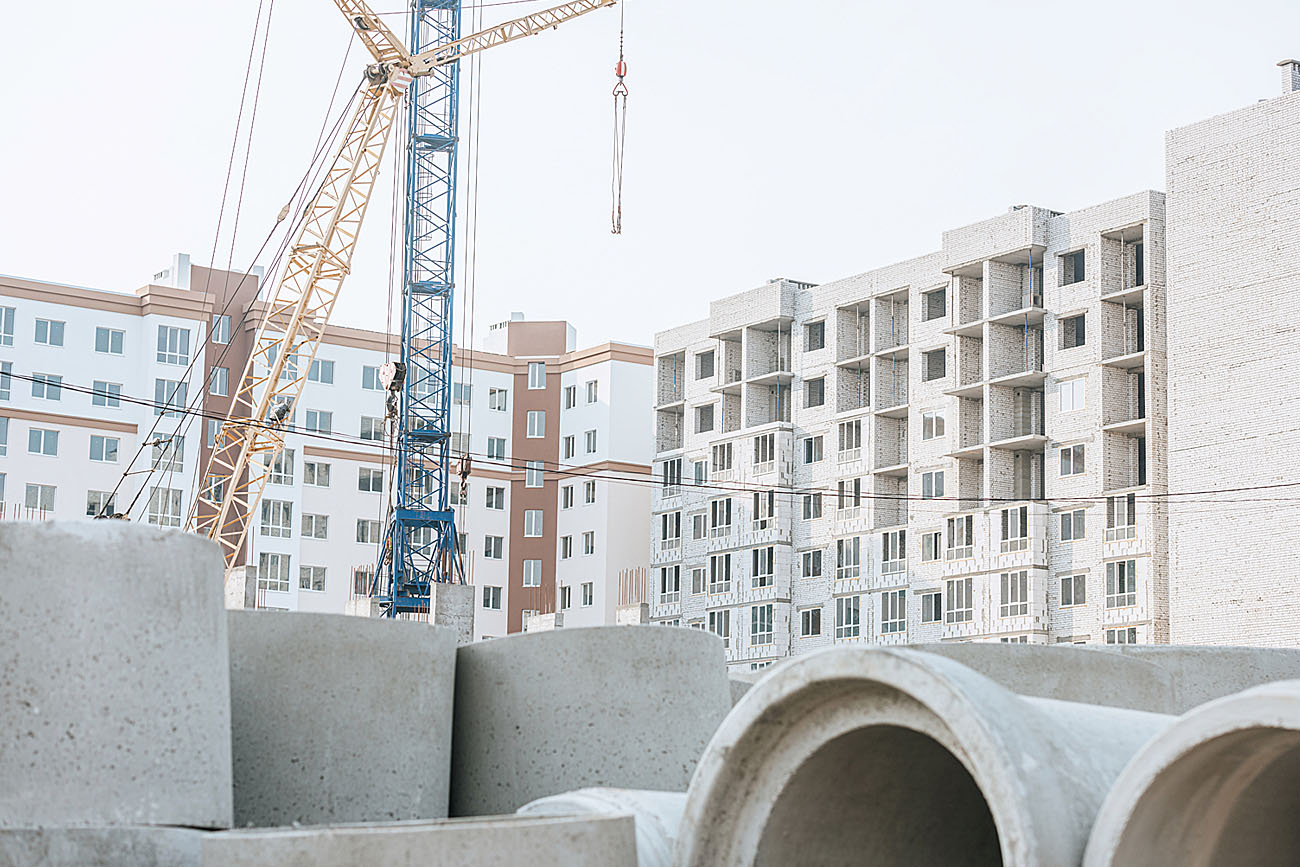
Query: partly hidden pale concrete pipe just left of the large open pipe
[657, 814]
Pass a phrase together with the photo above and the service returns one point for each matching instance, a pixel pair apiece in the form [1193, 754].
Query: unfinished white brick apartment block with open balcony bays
[963, 446]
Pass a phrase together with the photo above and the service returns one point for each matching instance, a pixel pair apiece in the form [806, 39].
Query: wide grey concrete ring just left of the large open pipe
[548, 713]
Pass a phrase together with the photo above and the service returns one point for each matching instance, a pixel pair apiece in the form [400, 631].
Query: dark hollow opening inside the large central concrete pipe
[882, 795]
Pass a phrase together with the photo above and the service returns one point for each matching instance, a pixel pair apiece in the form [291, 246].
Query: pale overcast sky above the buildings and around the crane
[811, 140]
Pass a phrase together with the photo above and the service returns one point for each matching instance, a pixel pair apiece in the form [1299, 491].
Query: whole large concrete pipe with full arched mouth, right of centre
[898, 757]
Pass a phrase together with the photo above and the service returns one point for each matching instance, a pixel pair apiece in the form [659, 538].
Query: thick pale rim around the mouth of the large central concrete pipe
[950, 701]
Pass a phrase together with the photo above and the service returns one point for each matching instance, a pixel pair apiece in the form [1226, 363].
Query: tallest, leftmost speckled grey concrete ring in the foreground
[115, 692]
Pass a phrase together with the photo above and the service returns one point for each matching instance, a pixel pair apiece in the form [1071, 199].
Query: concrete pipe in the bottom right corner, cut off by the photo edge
[1219, 788]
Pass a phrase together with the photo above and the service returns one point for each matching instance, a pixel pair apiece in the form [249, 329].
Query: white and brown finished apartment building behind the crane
[558, 443]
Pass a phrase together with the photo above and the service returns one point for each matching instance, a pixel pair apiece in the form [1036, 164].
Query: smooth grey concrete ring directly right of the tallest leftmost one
[339, 719]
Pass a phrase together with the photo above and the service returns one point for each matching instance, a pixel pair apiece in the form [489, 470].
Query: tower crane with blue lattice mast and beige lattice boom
[421, 540]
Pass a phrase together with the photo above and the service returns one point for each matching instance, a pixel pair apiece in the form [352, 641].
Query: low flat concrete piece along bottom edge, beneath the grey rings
[496, 842]
